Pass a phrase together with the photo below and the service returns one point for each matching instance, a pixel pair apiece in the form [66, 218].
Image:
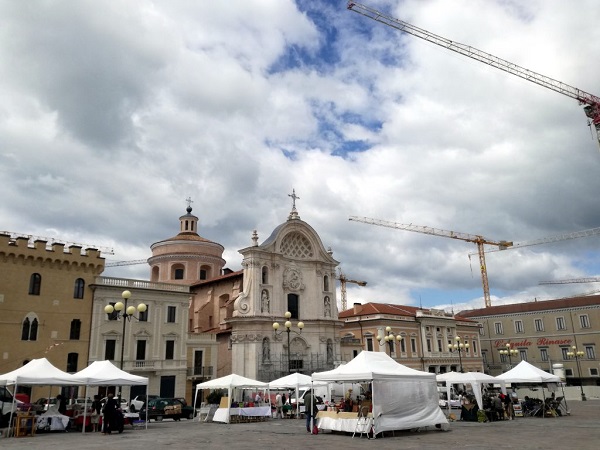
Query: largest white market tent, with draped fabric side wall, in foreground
[403, 398]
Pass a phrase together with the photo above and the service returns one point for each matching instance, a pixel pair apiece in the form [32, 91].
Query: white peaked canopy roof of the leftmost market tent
[38, 372]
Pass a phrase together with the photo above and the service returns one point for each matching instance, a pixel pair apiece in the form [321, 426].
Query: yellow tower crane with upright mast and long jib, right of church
[476, 239]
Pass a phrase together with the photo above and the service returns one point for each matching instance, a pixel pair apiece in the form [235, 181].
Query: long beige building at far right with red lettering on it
[543, 333]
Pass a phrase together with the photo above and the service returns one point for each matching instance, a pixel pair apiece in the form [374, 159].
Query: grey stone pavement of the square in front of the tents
[578, 431]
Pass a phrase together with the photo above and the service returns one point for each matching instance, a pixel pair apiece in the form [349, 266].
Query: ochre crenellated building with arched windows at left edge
[45, 304]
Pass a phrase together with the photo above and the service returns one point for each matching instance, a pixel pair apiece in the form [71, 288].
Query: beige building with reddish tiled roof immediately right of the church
[426, 337]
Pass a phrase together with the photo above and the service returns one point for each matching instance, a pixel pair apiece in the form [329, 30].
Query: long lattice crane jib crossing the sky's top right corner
[591, 102]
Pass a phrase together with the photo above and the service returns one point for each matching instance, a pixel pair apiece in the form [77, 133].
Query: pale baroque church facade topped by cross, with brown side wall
[291, 271]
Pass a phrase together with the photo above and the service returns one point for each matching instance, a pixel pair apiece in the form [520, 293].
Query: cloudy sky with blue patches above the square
[114, 112]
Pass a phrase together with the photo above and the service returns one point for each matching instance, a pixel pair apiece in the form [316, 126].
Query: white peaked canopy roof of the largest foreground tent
[368, 366]
